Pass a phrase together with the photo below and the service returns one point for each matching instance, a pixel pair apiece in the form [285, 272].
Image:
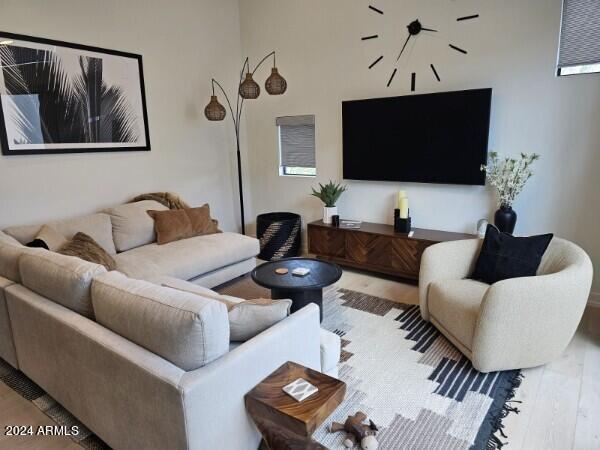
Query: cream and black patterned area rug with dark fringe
[420, 391]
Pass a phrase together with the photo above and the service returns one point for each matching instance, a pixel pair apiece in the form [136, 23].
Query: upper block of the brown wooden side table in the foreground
[267, 401]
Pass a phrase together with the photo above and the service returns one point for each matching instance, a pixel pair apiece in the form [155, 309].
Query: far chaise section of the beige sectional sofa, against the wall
[127, 233]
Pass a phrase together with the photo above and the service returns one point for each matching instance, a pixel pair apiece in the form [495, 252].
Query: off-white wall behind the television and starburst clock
[512, 48]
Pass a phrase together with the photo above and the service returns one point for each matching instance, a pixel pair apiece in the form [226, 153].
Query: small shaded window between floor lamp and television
[297, 145]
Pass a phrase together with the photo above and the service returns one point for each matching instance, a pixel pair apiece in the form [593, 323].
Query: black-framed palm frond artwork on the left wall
[58, 97]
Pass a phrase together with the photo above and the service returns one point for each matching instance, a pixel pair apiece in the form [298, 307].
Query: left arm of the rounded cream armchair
[452, 260]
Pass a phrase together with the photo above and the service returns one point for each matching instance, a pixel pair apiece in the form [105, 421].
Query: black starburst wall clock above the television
[414, 29]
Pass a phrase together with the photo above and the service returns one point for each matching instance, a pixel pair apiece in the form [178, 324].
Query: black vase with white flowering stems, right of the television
[508, 176]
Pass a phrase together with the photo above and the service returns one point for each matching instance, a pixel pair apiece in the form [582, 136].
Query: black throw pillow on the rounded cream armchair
[504, 256]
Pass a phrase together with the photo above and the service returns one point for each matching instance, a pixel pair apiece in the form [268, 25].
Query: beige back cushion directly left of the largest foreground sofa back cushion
[65, 280]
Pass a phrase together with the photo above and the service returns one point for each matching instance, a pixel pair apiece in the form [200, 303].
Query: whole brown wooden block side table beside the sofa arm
[285, 422]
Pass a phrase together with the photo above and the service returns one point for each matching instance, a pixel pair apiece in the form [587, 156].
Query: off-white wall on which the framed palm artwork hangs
[183, 43]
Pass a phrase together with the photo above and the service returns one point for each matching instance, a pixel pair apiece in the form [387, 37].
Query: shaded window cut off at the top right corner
[579, 50]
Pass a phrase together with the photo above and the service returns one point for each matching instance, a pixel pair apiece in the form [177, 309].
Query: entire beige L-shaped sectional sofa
[144, 365]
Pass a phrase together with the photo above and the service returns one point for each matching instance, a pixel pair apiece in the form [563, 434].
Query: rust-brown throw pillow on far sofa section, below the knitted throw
[176, 224]
